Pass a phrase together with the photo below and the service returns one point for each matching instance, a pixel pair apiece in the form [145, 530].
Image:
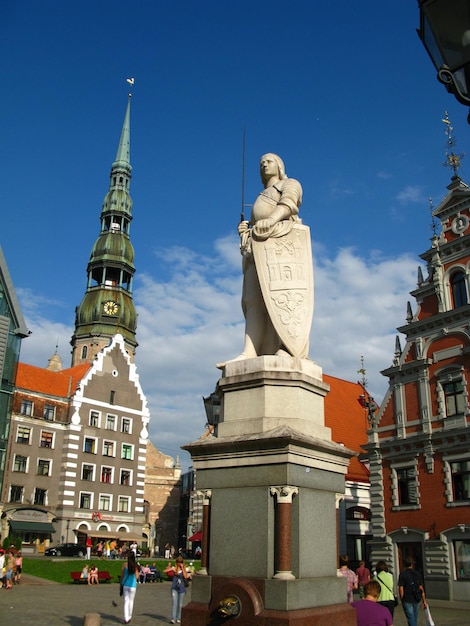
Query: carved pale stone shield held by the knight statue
[285, 273]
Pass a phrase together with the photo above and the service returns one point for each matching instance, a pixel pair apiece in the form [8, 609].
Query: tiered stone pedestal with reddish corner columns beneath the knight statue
[271, 473]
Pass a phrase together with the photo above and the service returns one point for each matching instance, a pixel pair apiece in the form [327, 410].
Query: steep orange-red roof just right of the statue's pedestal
[347, 420]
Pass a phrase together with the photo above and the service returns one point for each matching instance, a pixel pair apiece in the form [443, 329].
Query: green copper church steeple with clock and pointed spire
[107, 307]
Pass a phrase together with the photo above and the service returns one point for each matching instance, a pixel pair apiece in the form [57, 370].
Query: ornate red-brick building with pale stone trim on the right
[419, 443]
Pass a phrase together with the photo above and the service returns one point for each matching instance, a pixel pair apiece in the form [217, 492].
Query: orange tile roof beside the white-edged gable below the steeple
[37, 379]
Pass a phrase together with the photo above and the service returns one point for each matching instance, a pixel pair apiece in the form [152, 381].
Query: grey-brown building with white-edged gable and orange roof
[77, 450]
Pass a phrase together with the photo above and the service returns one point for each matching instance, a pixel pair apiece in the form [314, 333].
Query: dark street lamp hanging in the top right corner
[445, 33]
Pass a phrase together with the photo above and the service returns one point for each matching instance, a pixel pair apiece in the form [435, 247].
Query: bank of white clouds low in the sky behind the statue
[193, 320]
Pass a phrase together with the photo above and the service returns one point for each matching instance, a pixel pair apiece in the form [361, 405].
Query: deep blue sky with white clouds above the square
[343, 91]
